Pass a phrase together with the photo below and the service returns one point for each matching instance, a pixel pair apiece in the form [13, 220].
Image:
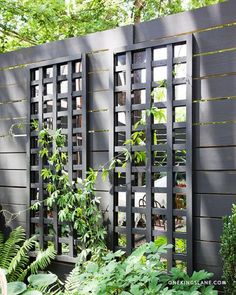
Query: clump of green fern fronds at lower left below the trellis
[14, 256]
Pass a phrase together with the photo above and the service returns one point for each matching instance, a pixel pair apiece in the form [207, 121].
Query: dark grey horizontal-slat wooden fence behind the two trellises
[214, 114]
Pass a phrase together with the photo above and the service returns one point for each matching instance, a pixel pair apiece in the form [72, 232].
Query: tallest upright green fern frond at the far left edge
[11, 246]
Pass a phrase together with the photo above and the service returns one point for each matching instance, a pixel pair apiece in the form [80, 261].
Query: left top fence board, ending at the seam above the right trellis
[92, 42]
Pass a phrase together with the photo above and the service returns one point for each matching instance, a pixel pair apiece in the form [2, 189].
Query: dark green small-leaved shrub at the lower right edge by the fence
[228, 252]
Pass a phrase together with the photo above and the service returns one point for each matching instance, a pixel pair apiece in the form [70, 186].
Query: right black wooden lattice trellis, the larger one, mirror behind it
[152, 196]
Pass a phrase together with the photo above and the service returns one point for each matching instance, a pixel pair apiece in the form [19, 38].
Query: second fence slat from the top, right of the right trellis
[213, 40]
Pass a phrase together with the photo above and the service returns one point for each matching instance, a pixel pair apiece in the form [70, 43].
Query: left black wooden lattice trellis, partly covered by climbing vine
[57, 94]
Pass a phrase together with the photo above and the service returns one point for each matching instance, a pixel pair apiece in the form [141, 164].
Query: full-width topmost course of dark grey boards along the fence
[126, 35]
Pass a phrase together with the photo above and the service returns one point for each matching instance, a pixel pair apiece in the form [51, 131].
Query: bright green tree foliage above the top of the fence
[25, 22]
